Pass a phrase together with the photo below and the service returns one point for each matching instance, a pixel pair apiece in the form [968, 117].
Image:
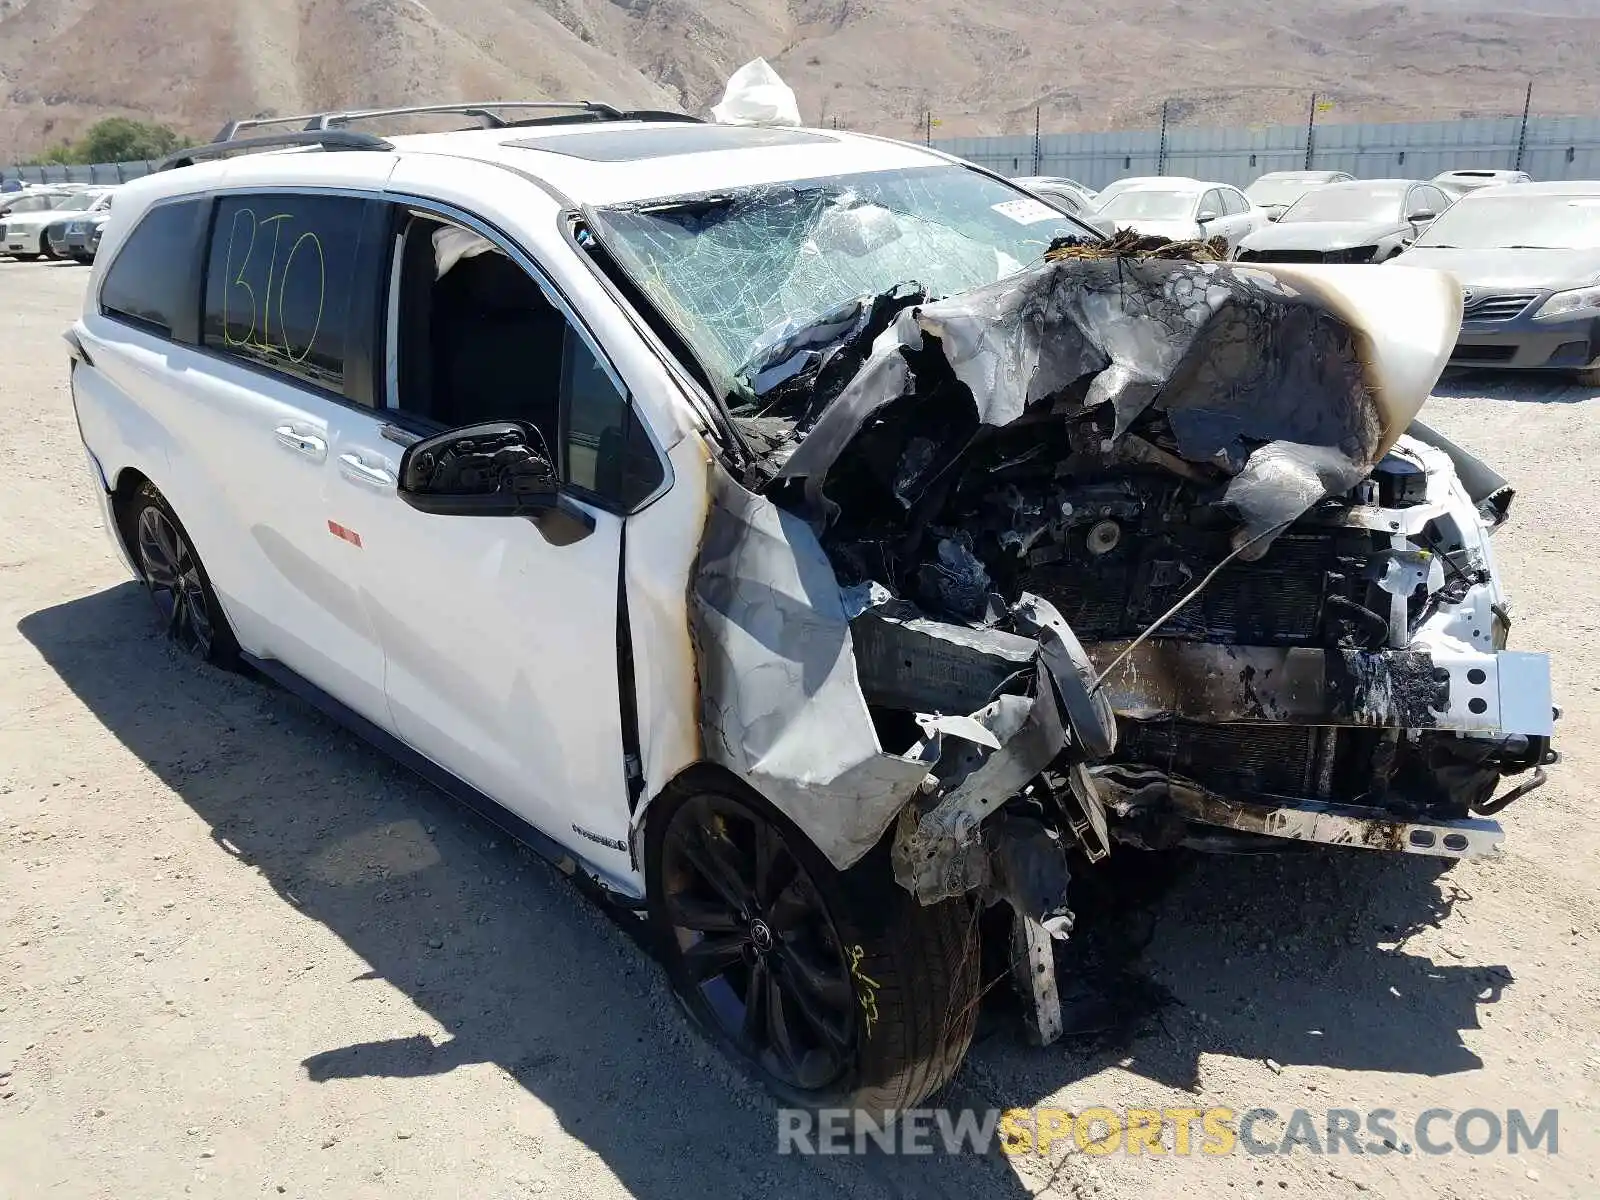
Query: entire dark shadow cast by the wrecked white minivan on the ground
[1260, 959]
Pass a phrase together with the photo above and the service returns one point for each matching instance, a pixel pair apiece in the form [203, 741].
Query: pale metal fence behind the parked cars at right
[1556, 148]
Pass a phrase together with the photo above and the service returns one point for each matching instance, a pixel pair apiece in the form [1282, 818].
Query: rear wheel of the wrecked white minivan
[177, 580]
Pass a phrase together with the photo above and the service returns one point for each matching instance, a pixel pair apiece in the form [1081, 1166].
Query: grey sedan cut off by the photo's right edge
[1529, 263]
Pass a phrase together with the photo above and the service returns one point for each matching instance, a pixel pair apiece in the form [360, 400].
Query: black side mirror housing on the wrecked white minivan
[498, 470]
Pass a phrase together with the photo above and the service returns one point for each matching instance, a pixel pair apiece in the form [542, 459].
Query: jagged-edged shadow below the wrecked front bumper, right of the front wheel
[1287, 959]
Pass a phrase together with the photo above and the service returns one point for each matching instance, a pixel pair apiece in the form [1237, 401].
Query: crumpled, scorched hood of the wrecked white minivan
[1294, 382]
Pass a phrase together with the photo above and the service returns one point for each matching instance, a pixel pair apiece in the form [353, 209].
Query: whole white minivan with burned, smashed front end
[698, 503]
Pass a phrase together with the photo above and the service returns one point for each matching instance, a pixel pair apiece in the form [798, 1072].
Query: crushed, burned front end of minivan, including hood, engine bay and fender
[1126, 548]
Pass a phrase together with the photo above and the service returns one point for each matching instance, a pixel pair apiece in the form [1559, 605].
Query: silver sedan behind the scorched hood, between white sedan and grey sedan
[1359, 222]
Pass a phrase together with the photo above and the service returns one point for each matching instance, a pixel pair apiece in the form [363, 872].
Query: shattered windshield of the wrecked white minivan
[742, 273]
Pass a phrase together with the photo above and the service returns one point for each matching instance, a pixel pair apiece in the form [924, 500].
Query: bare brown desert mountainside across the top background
[980, 66]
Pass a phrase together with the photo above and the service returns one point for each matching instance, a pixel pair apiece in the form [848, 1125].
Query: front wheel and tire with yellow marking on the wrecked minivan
[836, 990]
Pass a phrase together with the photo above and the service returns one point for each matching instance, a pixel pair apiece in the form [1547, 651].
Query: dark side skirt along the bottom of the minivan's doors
[602, 886]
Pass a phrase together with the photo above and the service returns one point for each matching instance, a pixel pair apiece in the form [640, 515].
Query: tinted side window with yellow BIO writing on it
[279, 282]
